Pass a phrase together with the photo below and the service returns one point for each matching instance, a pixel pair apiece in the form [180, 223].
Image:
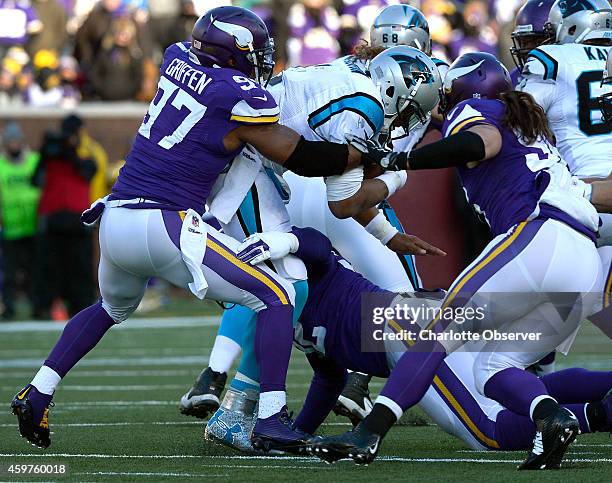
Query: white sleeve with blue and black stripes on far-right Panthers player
[539, 78]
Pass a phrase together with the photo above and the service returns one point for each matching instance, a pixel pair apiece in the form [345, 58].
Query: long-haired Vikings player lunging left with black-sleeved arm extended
[514, 177]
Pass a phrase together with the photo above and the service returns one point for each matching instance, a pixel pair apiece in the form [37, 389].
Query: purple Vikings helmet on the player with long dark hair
[476, 75]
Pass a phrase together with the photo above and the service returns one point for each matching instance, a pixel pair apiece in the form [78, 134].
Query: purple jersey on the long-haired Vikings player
[506, 189]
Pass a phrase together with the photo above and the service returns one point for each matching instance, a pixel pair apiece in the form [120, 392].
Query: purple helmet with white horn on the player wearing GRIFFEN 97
[234, 37]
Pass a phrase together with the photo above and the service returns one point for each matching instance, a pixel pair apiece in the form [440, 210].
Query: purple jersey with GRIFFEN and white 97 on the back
[178, 152]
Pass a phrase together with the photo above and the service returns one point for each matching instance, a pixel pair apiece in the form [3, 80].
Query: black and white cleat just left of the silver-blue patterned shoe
[204, 397]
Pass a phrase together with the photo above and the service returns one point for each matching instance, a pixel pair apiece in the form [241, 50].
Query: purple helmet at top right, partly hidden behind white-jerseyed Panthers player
[532, 29]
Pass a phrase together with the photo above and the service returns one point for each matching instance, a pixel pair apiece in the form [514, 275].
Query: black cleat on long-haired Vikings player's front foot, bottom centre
[359, 444]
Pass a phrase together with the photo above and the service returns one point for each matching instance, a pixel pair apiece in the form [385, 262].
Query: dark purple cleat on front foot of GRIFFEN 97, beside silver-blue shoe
[278, 433]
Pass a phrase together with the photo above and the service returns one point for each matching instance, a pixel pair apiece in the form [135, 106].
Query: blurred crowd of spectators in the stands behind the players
[60, 52]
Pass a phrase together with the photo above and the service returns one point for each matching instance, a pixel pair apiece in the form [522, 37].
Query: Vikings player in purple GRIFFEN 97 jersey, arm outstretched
[209, 104]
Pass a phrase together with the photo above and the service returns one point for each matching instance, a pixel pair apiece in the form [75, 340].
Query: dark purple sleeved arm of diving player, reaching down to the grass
[326, 385]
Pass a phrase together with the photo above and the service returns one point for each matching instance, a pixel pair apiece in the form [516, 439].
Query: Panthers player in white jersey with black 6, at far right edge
[565, 80]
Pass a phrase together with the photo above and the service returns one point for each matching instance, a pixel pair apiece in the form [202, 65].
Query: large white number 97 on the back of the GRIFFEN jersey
[196, 112]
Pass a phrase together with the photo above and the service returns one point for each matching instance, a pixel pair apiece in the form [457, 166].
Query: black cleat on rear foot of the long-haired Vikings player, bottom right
[554, 434]
